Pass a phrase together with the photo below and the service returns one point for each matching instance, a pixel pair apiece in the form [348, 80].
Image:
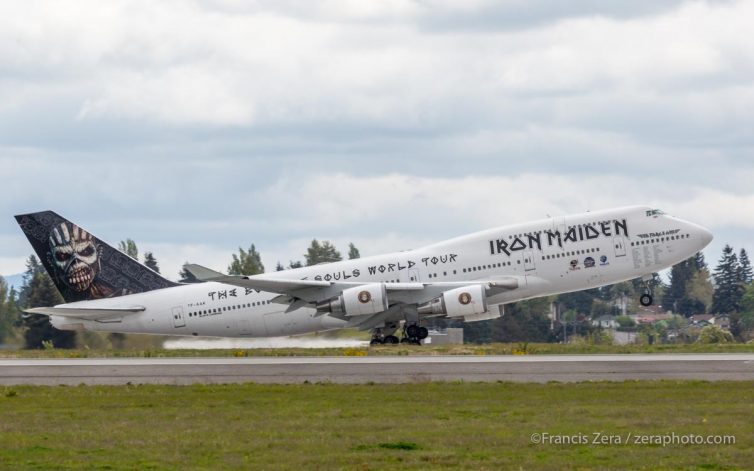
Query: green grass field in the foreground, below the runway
[326, 426]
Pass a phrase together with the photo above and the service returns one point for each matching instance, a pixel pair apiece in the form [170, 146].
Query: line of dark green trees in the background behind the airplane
[693, 288]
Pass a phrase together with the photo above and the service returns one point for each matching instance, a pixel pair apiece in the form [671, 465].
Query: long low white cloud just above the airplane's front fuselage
[341, 201]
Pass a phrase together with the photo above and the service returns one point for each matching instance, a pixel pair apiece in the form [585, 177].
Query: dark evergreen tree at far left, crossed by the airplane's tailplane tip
[42, 292]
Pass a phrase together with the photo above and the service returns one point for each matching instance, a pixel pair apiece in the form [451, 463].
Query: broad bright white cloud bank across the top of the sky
[181, 63]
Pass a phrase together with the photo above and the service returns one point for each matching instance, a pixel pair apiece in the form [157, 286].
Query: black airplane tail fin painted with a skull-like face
[82, 266]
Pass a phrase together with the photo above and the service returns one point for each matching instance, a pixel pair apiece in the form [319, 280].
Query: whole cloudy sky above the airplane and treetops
[196, 127]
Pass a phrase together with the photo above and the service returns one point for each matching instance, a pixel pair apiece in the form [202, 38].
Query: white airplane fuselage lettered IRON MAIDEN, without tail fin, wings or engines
[548, 256]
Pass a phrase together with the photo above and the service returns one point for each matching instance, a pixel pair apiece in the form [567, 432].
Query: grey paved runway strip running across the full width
[378, 369]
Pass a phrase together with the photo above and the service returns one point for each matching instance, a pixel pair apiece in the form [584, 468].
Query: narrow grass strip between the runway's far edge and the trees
[488, 349]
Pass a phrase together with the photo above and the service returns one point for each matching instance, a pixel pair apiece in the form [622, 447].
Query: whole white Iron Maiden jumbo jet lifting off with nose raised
[466, 278]
